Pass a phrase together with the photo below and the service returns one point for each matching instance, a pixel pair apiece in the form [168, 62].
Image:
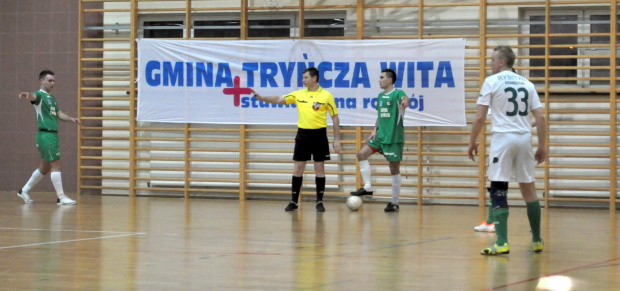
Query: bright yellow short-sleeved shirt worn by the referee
[312, 107]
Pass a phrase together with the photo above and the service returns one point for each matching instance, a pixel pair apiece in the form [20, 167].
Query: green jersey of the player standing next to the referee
[390, 120]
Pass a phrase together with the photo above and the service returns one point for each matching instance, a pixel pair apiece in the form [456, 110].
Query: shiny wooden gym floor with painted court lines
[118, 243]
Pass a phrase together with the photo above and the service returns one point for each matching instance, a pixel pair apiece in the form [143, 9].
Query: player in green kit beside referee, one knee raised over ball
[387, 138]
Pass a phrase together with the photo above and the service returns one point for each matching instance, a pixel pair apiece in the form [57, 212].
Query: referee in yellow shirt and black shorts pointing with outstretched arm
[313, 103]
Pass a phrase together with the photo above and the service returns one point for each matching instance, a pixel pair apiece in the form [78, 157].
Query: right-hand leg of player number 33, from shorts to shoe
[525, 174]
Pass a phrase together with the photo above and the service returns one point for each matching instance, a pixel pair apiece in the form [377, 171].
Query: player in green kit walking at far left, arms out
[48, 114]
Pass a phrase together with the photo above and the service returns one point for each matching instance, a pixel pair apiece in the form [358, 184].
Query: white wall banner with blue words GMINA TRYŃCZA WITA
[193, 81]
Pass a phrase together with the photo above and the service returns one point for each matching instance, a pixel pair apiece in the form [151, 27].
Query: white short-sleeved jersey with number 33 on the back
[511, 99]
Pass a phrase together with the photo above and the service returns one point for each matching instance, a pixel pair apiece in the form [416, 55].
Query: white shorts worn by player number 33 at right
[512, 152]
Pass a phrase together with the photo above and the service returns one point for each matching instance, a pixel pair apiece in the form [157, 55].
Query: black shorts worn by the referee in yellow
[311, 144]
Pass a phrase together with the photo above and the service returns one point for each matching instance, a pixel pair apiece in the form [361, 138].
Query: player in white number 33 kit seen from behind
[511, 98]
